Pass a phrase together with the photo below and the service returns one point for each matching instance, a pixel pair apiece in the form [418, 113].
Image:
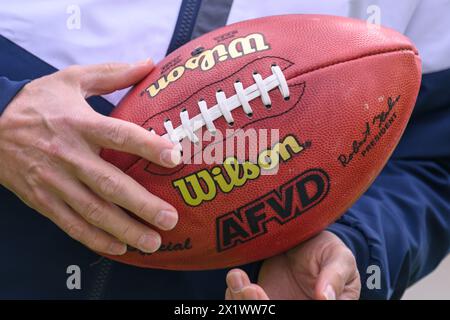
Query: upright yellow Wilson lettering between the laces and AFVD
[204, 185]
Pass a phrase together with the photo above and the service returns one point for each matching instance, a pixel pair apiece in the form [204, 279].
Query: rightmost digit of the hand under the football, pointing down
[337, 270]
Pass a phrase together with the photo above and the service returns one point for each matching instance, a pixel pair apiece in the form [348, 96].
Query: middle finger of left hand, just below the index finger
[114, 186]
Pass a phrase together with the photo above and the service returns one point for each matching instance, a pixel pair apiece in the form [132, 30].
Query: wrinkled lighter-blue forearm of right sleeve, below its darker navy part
[401, 224]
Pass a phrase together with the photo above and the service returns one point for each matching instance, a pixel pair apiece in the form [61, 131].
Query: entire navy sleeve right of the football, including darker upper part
[402, 223]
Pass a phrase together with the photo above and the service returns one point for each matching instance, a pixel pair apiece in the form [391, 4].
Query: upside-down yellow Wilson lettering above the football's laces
[207, 59]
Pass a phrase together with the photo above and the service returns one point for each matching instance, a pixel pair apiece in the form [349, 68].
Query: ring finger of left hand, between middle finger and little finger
[106, 216]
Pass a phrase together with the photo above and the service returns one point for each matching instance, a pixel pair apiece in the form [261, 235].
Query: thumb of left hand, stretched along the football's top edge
[108, 77]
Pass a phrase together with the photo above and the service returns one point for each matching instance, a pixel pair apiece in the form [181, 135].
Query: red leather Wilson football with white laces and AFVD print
[314, 107]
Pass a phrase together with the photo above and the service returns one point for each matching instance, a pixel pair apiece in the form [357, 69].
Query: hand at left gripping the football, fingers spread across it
[50, 140]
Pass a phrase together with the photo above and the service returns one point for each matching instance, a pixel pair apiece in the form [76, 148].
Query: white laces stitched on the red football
[225, 106]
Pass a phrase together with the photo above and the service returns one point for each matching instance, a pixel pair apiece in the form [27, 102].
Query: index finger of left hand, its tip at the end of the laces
[130, 138]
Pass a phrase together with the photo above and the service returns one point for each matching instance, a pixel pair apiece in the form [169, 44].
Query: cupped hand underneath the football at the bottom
[322, 268]
